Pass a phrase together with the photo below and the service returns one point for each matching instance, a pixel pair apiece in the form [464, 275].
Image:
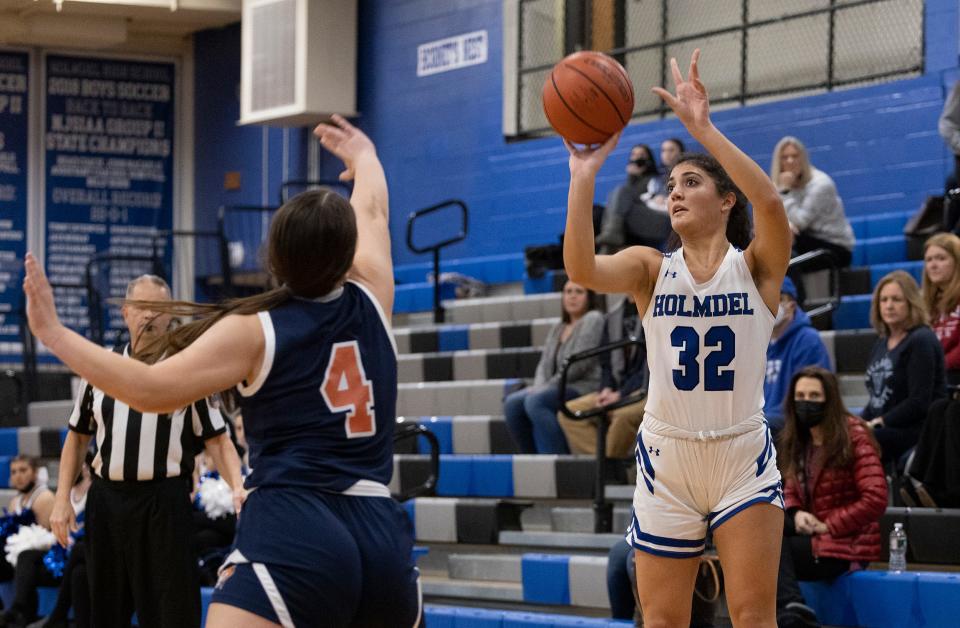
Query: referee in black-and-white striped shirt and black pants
[139, 517]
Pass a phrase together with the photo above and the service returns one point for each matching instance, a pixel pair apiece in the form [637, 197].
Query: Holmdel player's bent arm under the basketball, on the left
[625, 272]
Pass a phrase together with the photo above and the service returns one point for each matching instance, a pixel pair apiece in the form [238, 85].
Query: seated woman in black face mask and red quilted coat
[835, 491]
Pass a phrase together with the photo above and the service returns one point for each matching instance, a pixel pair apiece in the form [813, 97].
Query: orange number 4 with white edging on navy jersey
[346, 389]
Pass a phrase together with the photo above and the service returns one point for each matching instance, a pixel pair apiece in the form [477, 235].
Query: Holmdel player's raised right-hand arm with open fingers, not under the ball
[769, 253]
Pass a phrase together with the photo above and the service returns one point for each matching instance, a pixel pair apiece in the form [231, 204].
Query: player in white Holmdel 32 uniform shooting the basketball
[704, 453]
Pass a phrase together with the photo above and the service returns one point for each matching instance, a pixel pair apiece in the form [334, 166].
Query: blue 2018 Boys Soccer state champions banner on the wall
[108, 134]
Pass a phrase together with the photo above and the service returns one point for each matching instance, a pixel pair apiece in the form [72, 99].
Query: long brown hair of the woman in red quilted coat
[793, 441]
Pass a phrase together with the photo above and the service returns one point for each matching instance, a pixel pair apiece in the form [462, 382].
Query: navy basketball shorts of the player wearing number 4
[306, 558]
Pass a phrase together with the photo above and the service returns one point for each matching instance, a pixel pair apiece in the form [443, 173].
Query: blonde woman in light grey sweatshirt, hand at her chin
[813, 206]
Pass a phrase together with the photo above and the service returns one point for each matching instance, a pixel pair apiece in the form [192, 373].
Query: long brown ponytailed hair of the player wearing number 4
[310, 248]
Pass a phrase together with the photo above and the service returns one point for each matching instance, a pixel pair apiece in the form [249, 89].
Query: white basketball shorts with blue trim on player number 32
[687, 486]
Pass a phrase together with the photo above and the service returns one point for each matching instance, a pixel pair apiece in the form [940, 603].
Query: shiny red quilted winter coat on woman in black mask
[850, 500]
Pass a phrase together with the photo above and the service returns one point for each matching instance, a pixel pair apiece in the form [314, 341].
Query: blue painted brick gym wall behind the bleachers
[440, 136]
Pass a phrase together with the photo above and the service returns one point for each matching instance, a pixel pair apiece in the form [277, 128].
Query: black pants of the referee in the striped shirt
[139, 556]
